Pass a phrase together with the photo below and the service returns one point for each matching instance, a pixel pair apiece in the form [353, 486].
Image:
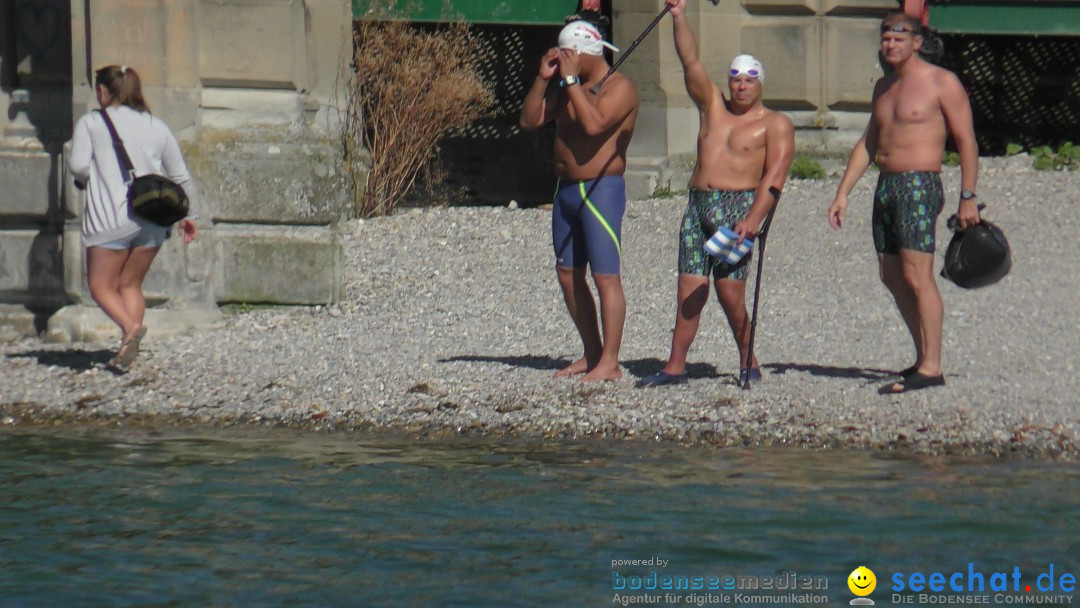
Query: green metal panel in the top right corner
[1034, 18]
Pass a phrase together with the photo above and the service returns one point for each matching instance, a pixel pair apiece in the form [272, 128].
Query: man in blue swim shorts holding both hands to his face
[592, 134]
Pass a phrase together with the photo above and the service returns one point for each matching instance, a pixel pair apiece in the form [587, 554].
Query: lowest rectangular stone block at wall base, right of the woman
[278, 265]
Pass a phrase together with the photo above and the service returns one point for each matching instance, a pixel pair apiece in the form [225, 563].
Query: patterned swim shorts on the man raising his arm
[708, 211]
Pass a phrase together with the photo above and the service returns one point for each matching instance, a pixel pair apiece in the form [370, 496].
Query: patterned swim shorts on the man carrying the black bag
[906, 211]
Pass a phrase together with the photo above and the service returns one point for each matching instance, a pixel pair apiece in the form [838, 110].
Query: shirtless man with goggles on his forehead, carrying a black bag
[915, 106]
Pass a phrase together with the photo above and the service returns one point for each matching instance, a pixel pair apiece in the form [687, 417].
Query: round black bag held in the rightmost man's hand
[978, 258]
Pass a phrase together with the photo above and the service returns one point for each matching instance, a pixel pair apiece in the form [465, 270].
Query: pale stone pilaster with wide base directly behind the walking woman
[157, 38]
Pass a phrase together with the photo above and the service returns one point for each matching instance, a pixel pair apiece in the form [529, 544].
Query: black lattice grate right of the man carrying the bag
[1024, 90]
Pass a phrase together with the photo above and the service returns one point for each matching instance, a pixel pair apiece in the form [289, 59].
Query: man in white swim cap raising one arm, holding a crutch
[745, 151]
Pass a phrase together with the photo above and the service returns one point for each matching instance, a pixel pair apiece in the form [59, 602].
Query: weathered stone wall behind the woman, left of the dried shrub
[251, 90]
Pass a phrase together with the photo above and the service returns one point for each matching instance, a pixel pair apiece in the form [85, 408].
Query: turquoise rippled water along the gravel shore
[310, 520]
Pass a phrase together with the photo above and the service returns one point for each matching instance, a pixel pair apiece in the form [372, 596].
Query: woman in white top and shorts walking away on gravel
[120, 246]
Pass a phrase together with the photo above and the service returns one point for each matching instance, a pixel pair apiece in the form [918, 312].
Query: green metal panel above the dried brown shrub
[531, 12]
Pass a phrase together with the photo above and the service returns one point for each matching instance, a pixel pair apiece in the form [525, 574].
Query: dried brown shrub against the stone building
[410, 88]
